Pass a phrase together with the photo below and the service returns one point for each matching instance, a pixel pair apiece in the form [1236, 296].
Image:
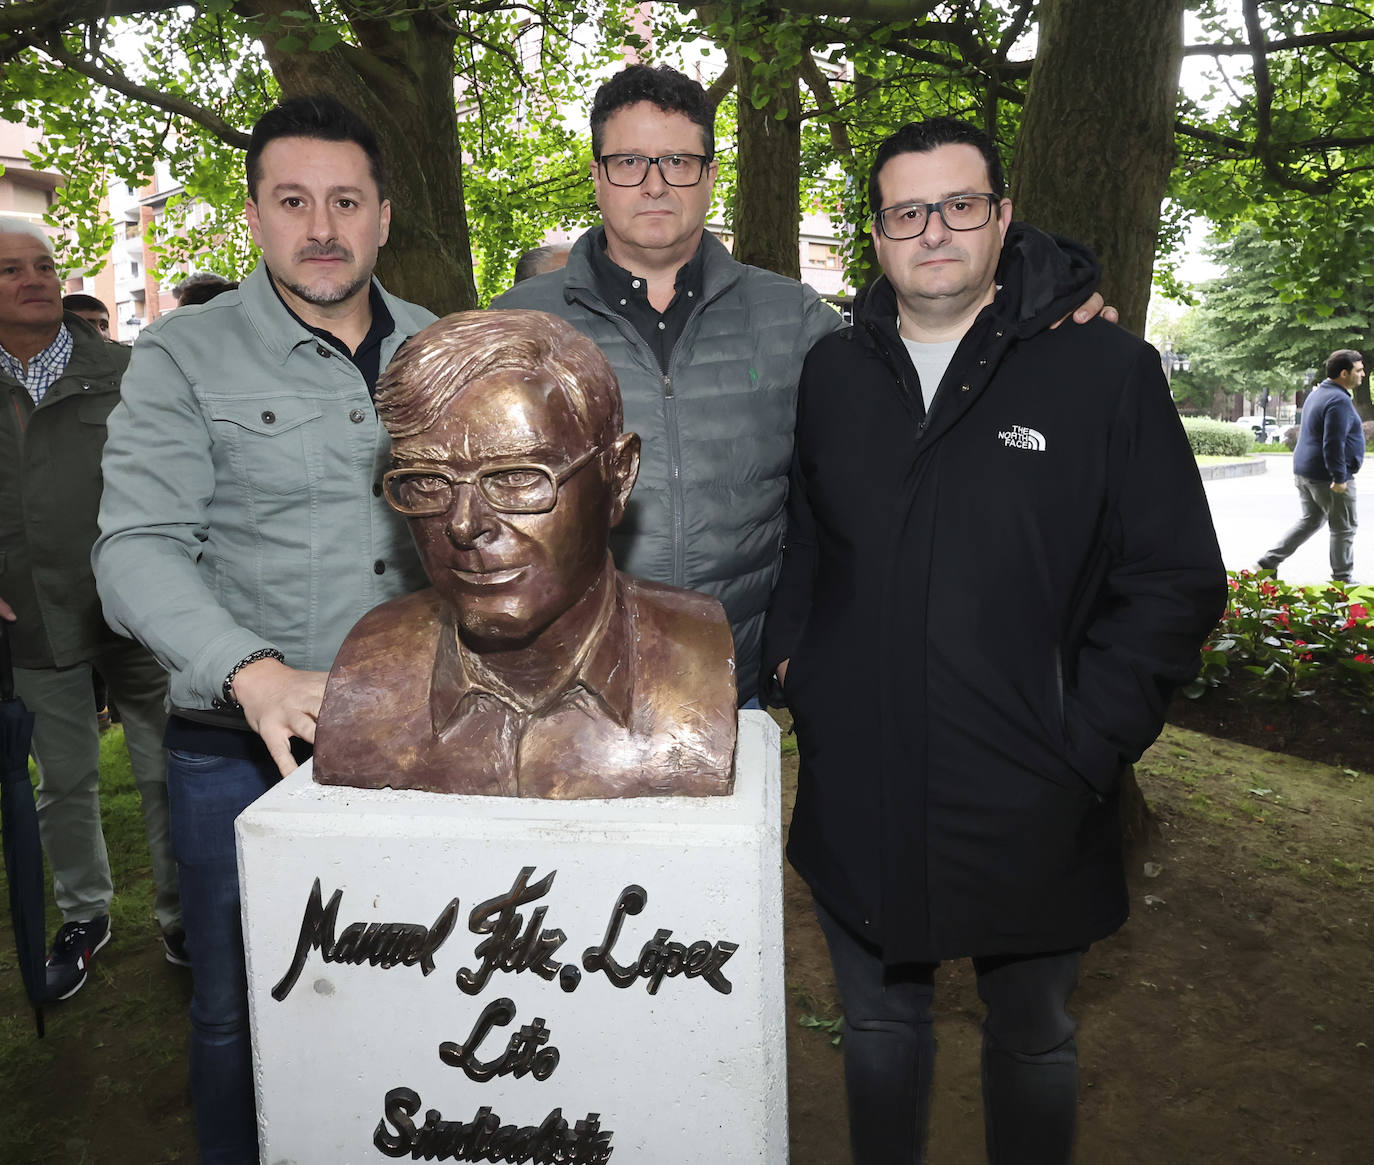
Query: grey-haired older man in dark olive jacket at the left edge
[61, 381]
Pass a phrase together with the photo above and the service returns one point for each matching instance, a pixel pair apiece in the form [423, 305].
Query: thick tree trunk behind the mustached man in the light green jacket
[402, 83]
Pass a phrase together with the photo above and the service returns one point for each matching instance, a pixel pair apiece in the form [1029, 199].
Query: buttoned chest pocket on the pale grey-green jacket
[271, 443]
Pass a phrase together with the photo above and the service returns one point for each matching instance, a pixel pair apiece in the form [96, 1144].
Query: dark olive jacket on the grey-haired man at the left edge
[50, 493]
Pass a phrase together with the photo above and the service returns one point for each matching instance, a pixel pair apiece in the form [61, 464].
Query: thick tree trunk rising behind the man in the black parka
[1096, 146]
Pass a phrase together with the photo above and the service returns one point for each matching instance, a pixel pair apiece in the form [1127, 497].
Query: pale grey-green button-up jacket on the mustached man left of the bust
[243, 493]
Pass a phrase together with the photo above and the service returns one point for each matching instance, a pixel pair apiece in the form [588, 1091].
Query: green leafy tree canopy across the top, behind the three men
[480, 106]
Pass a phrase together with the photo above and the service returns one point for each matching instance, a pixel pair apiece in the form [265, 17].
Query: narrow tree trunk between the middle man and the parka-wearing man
[767, 212]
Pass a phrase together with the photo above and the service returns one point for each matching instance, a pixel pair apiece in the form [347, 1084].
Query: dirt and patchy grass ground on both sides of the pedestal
[1232, 1021]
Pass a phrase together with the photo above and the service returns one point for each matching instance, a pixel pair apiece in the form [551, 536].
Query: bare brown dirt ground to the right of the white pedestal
[1230, 1021]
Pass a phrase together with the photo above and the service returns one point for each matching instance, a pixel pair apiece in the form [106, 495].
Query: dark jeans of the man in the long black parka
[1030, 1059]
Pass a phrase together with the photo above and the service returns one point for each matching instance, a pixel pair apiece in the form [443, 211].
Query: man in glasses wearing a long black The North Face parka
[1000, 565]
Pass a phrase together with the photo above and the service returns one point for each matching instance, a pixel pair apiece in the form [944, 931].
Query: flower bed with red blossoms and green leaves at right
[1291, 635]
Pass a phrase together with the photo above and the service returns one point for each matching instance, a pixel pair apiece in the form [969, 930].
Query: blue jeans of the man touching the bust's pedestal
[205, 795]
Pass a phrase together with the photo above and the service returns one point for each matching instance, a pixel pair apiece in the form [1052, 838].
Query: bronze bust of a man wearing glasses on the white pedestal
[531, 667]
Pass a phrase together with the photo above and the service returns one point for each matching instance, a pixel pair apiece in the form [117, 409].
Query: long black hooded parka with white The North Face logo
[986, 611]
